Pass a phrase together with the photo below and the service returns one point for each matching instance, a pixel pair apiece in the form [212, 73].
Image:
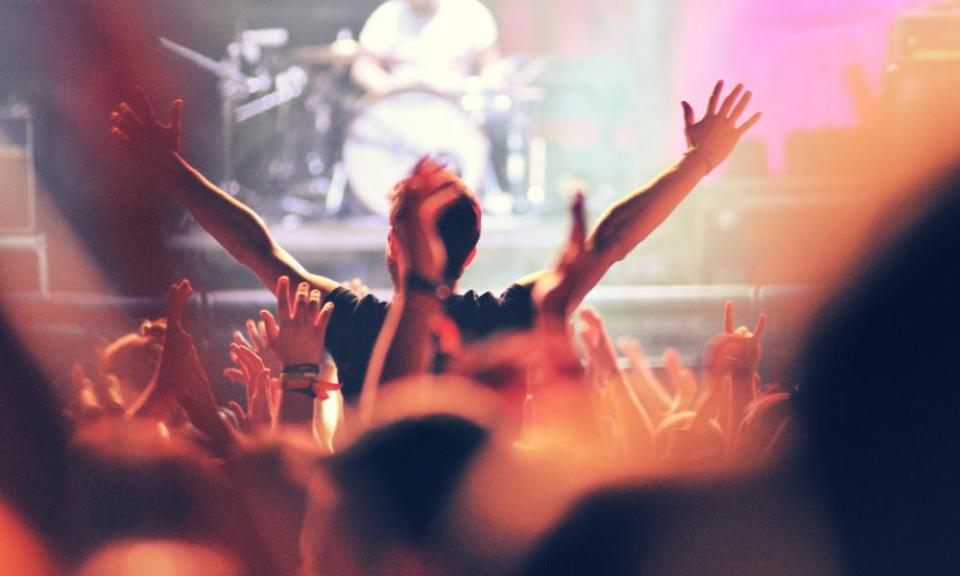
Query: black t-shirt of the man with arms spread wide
[356, 323]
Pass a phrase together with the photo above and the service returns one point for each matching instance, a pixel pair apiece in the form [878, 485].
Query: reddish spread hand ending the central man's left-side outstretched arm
[150, 142]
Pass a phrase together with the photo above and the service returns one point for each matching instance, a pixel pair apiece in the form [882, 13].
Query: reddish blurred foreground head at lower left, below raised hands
[131, 480]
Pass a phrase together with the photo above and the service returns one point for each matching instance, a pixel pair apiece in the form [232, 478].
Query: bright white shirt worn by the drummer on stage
[436, 49]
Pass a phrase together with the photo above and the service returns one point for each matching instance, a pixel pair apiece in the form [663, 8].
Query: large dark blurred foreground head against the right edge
[881, 394]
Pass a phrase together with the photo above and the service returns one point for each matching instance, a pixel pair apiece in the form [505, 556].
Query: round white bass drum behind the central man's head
[391, 133]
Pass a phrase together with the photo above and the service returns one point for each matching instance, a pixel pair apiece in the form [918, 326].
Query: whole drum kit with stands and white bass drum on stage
[333, 151]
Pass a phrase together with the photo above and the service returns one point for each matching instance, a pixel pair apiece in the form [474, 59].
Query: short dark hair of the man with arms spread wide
[458, 226]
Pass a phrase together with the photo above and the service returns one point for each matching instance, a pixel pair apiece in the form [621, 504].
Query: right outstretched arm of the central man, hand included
[625, 224]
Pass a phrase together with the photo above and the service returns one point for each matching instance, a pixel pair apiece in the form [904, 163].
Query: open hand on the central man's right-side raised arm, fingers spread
[715, 135]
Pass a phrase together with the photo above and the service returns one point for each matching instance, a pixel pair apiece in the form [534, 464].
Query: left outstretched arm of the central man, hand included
[155, 148]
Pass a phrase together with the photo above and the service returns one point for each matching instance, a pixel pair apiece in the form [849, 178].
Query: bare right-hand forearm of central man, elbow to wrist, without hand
[633, 218]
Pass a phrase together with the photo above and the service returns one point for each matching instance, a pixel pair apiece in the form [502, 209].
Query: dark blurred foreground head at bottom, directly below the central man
[379, 502]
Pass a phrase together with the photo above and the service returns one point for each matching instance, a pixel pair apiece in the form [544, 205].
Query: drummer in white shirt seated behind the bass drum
[432, 44]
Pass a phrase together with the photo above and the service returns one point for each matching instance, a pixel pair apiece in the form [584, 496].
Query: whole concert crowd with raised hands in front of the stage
[451, 432]
